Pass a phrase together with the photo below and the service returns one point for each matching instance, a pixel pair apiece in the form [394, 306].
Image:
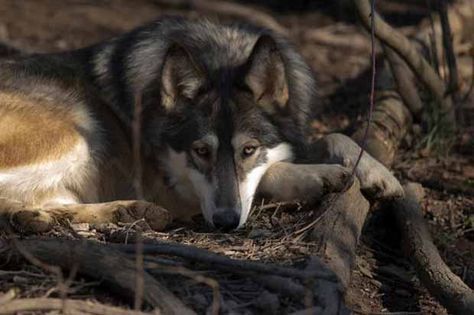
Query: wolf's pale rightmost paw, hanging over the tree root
[376, 180]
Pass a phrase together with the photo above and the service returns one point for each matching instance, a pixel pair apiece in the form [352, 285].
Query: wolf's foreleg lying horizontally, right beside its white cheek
[304, 182]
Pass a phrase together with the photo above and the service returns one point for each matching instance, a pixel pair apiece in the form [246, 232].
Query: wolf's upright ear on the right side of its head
[265, 74]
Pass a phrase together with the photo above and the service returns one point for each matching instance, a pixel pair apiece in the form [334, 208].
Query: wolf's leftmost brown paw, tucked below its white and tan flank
[31, 221]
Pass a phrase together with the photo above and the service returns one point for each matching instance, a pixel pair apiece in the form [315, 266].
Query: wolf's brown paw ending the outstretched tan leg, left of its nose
[131, 211]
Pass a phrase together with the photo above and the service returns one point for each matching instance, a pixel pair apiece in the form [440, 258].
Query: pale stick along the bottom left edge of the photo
[72, 306]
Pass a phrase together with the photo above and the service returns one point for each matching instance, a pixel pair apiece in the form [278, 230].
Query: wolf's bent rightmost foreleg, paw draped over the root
[376, 180]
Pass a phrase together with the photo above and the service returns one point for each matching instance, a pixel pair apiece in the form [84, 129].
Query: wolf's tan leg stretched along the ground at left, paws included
[27, 219]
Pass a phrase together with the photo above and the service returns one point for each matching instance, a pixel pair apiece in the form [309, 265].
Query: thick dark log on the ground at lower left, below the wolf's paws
[98, 262]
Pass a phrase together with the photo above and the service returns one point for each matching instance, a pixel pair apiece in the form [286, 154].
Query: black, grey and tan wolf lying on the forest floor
[223, 117]
